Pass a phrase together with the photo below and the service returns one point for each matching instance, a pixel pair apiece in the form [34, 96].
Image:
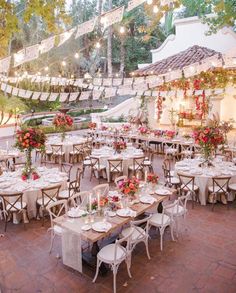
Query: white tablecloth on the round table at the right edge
[203, 175]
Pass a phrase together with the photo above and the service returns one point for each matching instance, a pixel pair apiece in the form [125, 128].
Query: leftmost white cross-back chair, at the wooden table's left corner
[55, 210]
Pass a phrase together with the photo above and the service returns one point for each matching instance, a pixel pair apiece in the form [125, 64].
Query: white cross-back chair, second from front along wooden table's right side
[139, 234]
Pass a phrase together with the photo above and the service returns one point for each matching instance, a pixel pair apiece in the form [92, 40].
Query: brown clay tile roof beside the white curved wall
[178, 61]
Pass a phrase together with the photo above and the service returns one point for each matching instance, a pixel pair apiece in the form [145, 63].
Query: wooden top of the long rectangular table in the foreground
[75, 224]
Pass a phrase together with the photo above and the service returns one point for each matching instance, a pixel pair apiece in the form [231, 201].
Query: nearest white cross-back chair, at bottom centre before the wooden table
[114, 255]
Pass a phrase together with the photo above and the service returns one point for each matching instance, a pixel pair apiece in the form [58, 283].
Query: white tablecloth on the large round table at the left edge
[12, 182]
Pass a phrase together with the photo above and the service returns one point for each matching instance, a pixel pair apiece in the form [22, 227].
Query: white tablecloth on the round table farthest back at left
[67, 144]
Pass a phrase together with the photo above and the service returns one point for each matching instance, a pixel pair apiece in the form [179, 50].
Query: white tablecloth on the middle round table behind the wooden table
[106, 153]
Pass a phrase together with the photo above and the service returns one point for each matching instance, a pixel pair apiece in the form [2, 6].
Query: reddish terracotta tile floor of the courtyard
[203, 259]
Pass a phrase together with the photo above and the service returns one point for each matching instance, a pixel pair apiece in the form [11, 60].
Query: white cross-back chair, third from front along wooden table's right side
[162, 220]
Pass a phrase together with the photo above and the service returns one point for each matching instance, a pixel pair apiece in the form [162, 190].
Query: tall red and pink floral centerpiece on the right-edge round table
[208, 138]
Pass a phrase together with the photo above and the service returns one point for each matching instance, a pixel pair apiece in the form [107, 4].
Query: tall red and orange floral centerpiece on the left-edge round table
[27, 140]
